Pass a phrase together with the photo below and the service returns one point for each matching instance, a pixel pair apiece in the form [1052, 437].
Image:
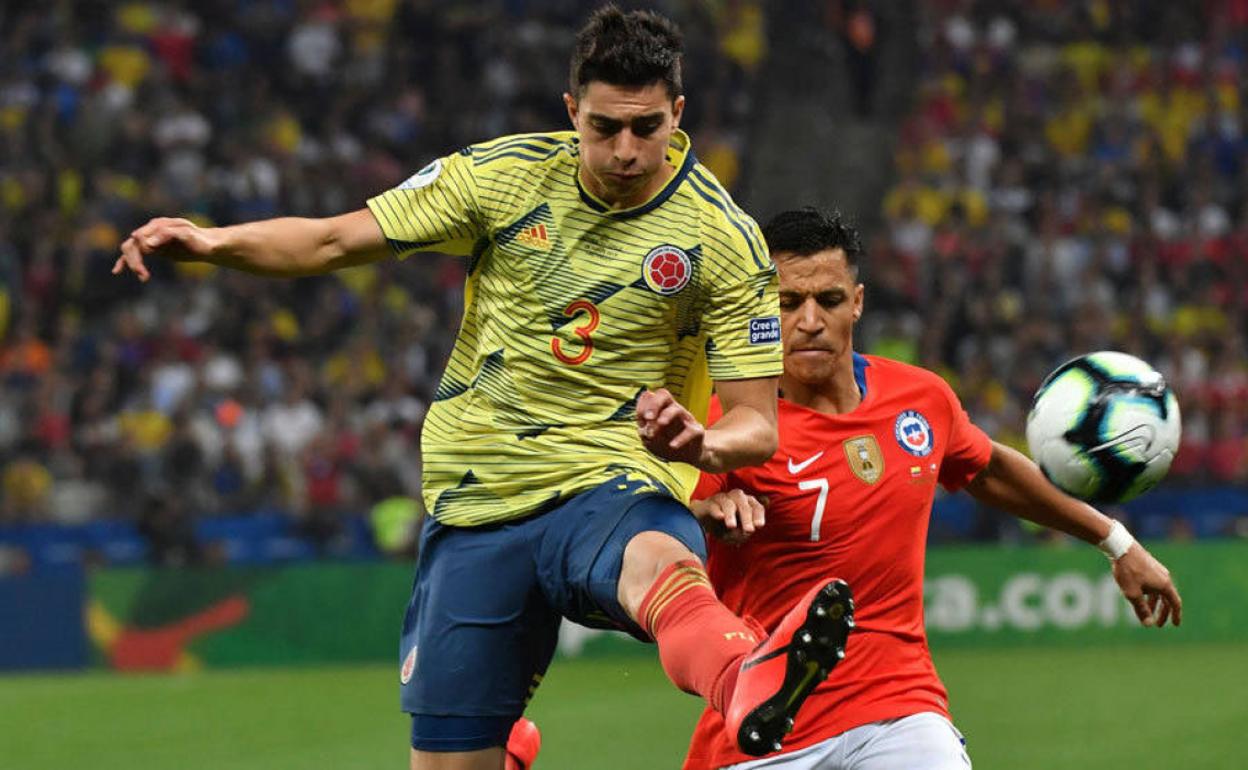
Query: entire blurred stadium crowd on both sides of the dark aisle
[1071, 178]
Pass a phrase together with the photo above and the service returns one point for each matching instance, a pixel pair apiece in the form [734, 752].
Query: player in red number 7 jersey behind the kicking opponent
[864, 441]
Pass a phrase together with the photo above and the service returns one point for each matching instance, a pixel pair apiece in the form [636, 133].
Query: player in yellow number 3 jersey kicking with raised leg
[611, 281]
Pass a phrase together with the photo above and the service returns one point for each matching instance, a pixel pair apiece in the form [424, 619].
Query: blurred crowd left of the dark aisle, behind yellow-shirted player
[208, 392]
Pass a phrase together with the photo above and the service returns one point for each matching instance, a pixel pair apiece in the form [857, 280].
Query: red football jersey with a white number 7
[849, 497]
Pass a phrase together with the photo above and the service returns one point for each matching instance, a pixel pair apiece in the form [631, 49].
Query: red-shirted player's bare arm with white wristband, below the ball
[1014, 484]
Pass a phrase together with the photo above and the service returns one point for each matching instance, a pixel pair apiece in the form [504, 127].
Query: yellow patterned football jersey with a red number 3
[572, 311]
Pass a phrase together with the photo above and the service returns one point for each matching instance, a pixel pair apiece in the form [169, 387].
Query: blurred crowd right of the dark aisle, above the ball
[1074, 177]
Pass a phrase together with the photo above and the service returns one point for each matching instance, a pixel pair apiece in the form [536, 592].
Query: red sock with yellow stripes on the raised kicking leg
[701, 642]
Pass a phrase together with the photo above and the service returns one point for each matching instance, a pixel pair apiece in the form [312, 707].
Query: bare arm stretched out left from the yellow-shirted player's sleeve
[286, 248]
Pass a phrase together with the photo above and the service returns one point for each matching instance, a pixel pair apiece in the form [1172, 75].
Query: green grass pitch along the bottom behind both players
[1143, 707]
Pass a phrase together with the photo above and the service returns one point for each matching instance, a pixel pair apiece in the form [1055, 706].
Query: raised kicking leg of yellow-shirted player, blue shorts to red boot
[627, 556]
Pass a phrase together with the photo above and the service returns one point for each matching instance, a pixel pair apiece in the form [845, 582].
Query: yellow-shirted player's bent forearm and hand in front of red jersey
[744, 436]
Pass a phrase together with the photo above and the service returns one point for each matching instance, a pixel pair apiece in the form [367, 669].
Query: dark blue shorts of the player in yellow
[484, 620]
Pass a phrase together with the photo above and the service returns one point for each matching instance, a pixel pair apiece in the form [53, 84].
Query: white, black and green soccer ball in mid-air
[1104, 427]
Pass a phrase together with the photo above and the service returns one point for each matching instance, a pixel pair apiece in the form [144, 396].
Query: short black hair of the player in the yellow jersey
[633, 49]
